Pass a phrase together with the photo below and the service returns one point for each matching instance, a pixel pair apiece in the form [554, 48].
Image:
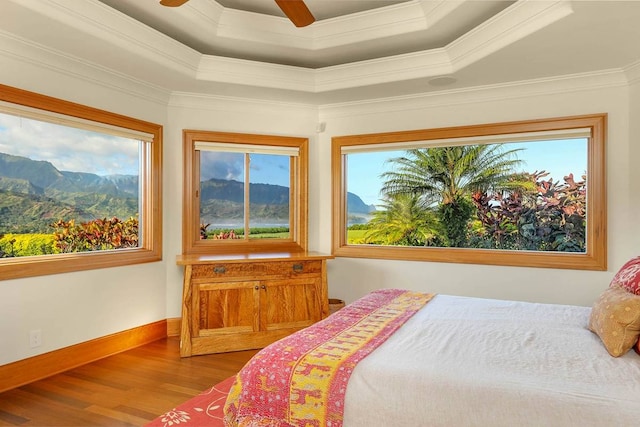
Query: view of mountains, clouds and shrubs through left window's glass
[65, 189]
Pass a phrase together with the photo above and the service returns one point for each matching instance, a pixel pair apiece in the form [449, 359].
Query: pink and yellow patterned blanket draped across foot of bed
[301, 380]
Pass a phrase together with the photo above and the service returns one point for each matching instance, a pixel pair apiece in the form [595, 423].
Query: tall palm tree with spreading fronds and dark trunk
[447, 176]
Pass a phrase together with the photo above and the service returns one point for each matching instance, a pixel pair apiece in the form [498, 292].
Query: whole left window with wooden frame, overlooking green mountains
[79, 187]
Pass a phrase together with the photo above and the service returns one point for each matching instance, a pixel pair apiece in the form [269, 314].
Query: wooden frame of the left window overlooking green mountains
[151, 195]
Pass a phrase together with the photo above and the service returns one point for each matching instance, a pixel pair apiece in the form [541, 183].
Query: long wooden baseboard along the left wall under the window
[35, 368]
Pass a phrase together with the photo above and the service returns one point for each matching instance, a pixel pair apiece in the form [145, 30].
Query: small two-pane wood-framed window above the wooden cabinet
[244, 193]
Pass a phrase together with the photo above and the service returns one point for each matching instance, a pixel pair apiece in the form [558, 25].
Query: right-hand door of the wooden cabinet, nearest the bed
[290, 304]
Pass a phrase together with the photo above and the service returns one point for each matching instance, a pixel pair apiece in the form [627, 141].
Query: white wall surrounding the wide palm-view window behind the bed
[352, 278]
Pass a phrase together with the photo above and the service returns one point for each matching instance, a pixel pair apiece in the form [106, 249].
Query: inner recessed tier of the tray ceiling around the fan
[346, 31]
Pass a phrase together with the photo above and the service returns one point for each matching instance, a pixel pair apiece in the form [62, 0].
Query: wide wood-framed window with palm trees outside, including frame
[528, 193]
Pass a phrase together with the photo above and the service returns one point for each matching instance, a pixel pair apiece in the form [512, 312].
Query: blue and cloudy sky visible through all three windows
[77, 150]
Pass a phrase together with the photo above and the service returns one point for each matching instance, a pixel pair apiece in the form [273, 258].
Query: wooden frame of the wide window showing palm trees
[595, 257]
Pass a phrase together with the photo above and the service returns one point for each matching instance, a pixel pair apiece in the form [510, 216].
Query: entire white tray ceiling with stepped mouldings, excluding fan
[357, 49]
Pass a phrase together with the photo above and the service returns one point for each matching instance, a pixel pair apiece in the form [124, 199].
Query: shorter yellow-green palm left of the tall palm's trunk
[403, 220]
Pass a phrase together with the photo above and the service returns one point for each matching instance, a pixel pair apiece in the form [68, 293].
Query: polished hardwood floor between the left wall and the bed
[128, 389]
